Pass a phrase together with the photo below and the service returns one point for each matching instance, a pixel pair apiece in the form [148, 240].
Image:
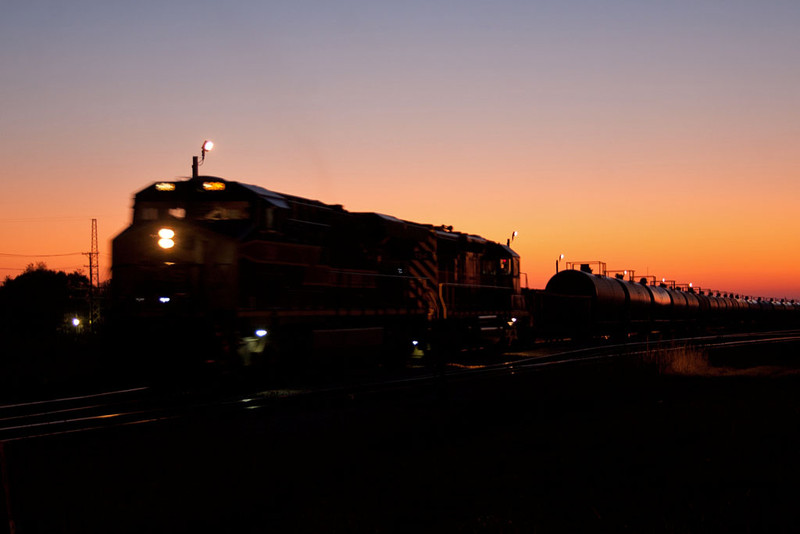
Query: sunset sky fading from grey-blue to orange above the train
[656, 136]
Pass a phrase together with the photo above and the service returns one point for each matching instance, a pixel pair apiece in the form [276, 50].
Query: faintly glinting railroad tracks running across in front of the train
[27, 420]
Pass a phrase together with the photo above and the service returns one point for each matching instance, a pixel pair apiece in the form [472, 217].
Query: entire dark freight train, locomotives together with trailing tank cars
[223, 271]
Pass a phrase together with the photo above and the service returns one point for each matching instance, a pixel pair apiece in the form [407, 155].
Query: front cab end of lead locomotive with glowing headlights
[179, 254]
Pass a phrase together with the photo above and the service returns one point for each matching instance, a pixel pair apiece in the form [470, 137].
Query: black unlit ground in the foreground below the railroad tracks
[614, 447]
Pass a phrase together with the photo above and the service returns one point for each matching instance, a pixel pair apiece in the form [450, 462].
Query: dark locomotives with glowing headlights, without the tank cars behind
[213, 267]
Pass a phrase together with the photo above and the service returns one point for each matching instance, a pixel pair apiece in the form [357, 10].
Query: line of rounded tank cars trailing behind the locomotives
[577, 303]
